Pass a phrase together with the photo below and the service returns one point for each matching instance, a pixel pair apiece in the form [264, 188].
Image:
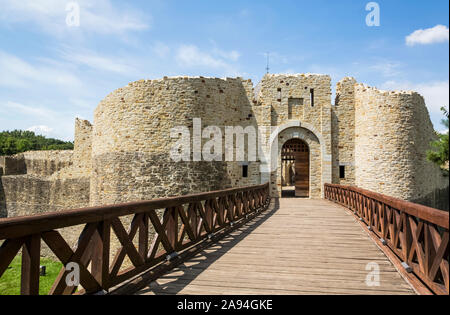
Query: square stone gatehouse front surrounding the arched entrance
[284, 102]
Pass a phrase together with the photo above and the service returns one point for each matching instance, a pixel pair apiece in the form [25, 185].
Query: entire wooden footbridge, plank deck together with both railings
[238, 241]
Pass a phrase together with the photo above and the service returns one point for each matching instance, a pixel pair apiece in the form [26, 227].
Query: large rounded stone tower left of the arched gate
[131, 137]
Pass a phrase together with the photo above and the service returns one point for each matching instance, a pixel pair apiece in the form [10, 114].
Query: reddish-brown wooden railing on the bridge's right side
[416, 234]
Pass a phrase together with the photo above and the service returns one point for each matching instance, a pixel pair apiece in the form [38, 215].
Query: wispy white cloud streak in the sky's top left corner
[96, 16]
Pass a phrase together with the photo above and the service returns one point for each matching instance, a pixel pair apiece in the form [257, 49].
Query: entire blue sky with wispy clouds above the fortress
[51, 72]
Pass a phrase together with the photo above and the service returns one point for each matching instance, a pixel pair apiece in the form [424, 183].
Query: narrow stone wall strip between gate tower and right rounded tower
[343, 131]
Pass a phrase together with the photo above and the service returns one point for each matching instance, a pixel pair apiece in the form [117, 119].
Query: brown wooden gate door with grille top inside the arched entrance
[297, 150]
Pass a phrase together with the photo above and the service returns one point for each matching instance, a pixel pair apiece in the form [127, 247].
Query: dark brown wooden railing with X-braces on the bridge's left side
[186, 221]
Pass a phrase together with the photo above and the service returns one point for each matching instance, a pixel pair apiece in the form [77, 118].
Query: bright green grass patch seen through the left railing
[10, 281]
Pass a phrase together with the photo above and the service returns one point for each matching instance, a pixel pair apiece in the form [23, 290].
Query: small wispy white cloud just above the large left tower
[191, 56]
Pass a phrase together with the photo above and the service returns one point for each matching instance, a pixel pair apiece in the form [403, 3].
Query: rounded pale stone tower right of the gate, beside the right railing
[393, 131]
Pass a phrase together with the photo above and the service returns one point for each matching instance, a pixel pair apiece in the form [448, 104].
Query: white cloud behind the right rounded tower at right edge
[436, 93]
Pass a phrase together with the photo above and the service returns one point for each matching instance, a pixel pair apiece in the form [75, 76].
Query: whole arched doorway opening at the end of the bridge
[295, 169]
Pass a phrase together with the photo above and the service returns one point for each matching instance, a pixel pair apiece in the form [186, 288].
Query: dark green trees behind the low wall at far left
[18, 141]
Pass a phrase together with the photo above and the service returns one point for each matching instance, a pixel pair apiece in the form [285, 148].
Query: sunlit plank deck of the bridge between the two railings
[296, 247]
